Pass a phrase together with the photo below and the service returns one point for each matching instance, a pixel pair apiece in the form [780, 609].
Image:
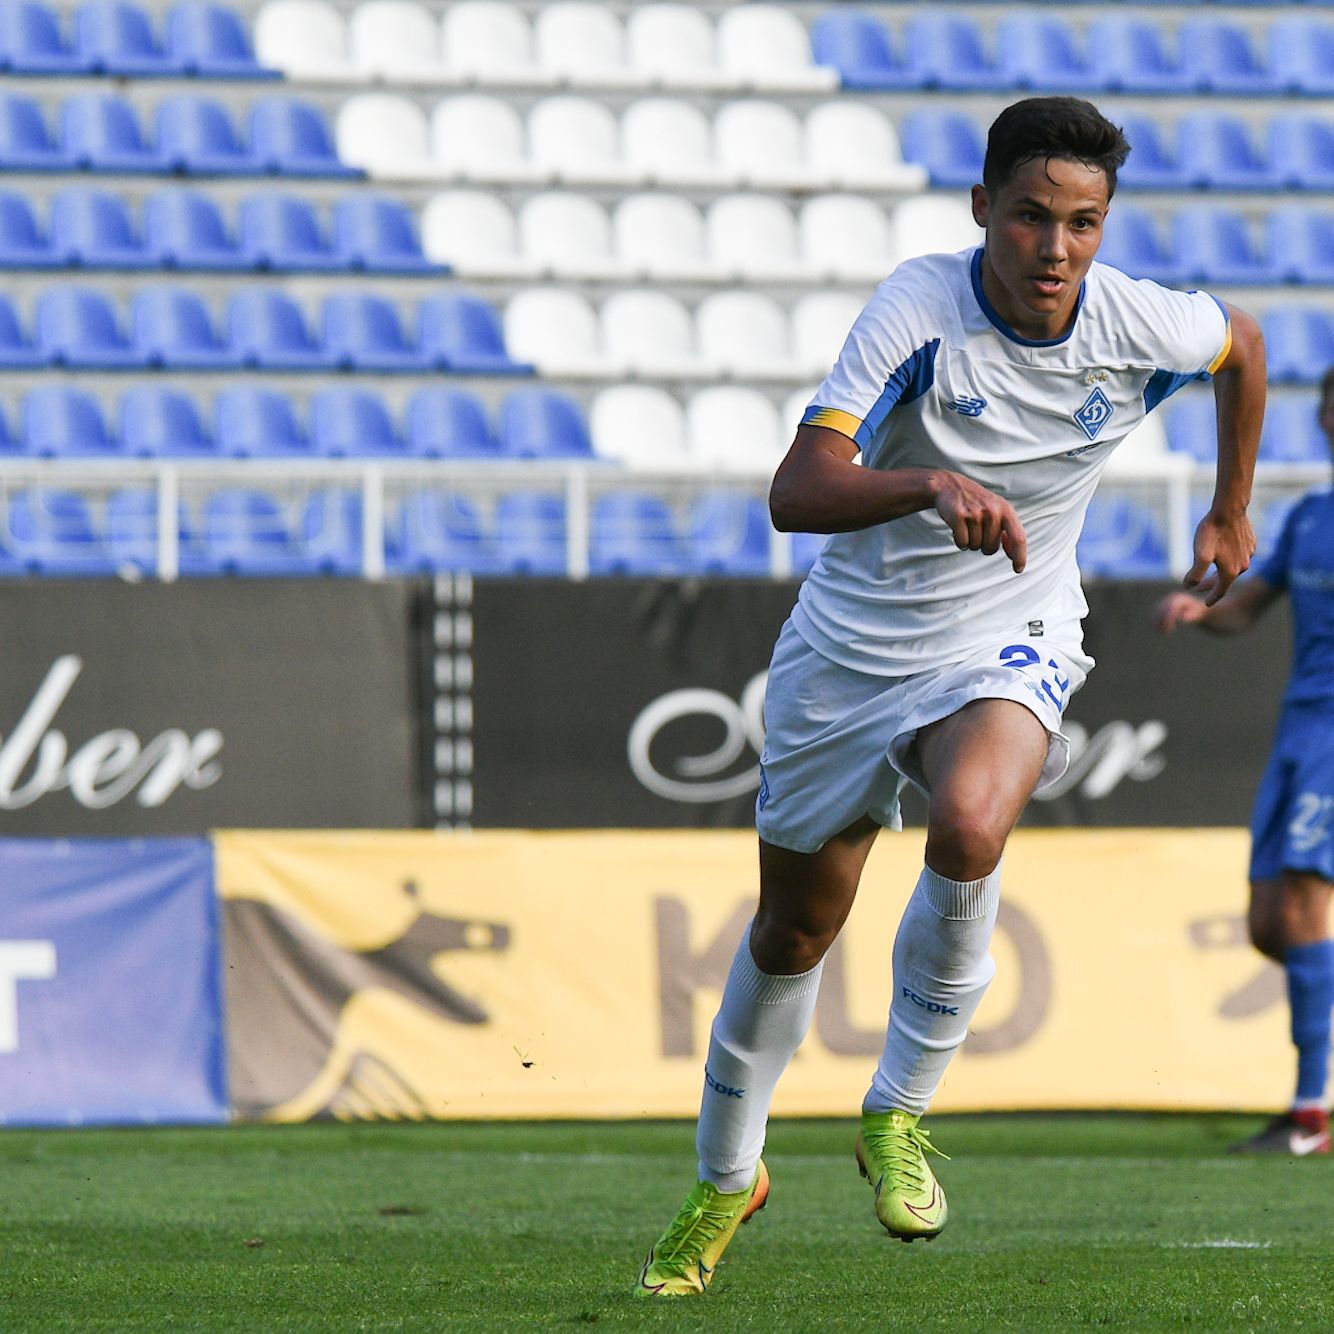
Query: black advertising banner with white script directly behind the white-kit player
[640, 704]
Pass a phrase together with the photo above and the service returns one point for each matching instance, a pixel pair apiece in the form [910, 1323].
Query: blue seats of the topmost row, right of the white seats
[1116, 53]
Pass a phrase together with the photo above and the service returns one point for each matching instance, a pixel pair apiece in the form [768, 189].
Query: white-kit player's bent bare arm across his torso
[820, 489]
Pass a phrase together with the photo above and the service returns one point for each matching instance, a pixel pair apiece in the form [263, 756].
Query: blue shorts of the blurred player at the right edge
[1293, 818]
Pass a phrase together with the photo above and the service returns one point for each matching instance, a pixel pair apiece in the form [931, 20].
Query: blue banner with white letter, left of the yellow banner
[110, 994]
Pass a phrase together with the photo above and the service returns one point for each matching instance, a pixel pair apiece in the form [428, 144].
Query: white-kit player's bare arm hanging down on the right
[1225, 540]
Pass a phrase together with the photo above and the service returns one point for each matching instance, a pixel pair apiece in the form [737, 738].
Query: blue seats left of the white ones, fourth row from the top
[262, 327]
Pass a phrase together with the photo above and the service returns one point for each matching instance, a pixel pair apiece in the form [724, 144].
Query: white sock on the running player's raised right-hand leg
[941, 973]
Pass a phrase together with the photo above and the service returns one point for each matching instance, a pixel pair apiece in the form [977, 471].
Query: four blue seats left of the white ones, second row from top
[101, 131]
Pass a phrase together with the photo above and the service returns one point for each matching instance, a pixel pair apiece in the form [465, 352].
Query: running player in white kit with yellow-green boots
[937, 641]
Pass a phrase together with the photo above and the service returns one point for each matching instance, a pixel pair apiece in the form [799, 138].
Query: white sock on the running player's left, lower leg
[760, 1027]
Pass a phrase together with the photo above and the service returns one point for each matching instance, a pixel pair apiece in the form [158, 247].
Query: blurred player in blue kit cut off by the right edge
[1292, 869]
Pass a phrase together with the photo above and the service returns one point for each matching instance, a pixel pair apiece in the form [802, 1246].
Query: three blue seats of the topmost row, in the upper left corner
[115, 38]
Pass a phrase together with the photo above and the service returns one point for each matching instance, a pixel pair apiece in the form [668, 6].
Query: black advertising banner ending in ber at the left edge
[177, 709]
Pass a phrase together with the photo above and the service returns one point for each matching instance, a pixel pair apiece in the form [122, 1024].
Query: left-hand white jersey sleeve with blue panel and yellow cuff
[889, 358]
